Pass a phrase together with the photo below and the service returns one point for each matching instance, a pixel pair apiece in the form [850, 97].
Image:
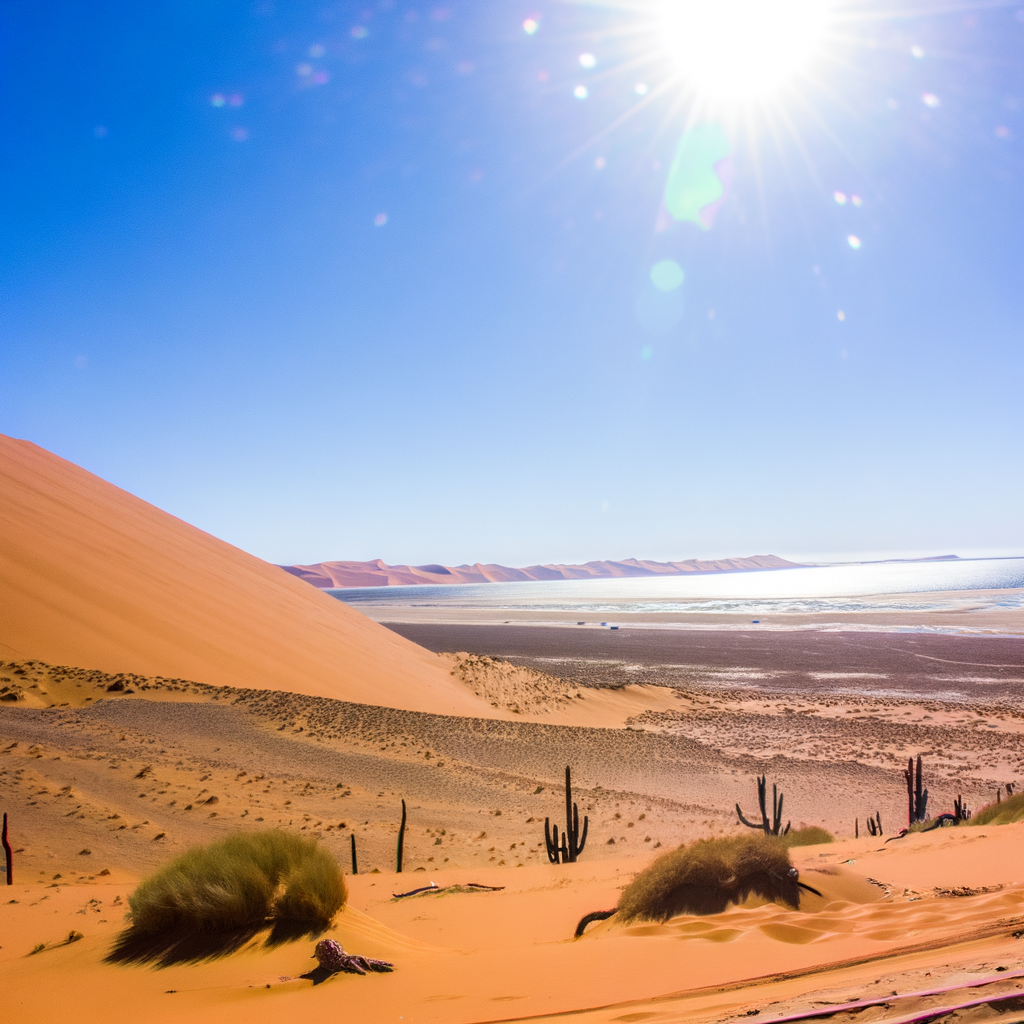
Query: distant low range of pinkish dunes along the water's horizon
[376, 574]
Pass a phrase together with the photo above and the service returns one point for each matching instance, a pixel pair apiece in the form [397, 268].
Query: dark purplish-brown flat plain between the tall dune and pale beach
[918, 667]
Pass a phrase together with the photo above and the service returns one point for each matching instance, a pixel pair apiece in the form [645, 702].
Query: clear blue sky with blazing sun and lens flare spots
[485, 281]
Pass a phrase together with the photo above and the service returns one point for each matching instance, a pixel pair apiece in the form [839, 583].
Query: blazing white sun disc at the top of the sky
[743, 50]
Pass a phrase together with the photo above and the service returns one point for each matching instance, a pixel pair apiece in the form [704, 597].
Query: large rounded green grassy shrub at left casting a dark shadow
[242, 881]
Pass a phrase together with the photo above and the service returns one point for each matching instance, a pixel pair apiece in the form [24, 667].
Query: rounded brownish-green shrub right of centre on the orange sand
[709, 875]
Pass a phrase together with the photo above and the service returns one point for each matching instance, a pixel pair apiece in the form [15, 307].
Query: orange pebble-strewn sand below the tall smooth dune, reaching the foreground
[117, 782]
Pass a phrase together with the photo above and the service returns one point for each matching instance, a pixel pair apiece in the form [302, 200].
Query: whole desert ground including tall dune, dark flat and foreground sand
[160, 690]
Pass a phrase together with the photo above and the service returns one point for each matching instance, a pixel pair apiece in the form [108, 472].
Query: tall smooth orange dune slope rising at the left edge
[92, 576]
